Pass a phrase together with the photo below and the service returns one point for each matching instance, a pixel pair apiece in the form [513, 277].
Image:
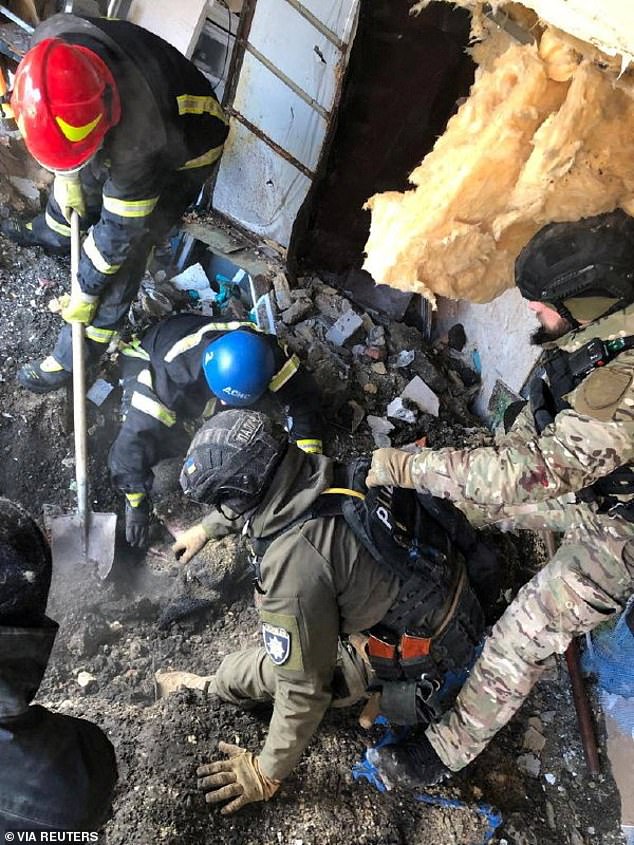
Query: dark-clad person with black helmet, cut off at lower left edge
[57, 772]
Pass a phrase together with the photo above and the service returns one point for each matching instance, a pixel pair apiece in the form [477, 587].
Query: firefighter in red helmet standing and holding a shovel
[132, 130]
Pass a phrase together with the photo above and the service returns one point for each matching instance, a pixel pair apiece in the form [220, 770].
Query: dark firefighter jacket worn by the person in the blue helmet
[173, 389]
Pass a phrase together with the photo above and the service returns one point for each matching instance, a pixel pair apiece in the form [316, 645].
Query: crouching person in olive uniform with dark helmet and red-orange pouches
[332, 615]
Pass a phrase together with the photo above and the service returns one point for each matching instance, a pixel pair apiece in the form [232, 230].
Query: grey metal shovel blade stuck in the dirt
[66, 542]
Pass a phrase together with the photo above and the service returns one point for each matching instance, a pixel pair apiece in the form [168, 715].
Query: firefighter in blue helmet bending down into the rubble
[186, 365]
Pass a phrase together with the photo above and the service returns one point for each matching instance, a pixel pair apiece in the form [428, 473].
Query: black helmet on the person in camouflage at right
[585, 269]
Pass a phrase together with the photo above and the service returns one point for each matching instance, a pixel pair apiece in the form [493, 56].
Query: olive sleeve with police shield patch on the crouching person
[300, 627]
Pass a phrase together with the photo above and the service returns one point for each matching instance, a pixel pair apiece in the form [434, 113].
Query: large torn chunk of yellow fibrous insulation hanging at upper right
[545, 135]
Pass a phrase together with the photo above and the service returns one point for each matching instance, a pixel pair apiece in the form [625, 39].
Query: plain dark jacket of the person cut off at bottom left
[56, 772]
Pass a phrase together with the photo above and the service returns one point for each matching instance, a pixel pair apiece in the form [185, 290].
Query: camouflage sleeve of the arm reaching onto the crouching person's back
[571, 453]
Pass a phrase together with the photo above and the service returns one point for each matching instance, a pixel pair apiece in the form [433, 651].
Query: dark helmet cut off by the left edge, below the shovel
[25, 567]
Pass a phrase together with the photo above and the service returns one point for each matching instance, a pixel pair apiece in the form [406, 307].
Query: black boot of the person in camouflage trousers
[411, 764]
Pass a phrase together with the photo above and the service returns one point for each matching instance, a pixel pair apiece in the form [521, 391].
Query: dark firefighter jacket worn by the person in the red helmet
[171, 127]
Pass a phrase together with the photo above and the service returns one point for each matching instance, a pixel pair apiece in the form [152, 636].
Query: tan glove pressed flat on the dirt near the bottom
[239, 777]
